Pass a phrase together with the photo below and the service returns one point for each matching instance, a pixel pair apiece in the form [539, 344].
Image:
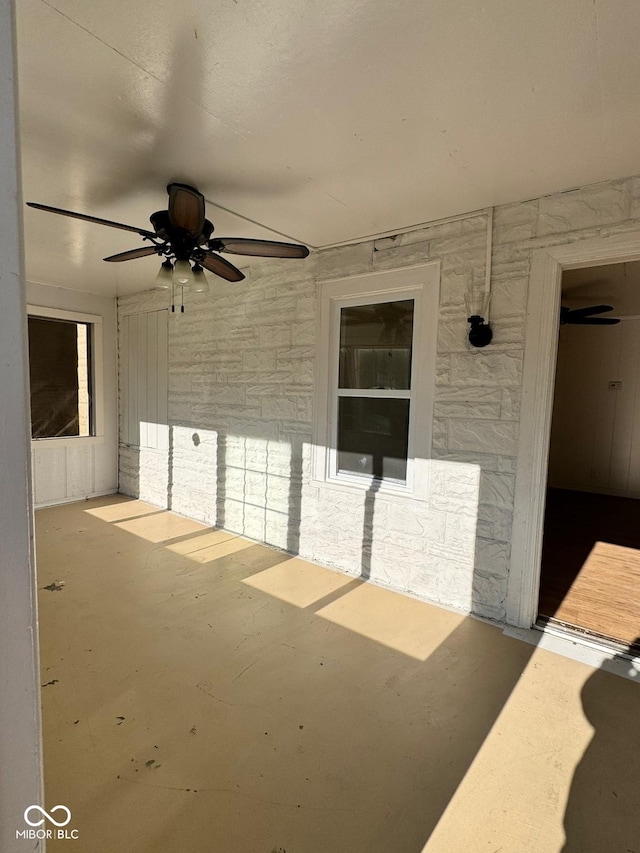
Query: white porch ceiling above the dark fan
[323, 122]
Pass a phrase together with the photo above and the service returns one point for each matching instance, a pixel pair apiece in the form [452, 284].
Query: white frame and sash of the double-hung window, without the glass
[422, 284]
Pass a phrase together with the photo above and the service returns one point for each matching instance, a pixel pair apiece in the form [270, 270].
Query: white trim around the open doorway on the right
[538, 385]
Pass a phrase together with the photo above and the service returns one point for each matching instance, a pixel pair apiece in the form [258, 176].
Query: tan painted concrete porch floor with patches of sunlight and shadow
[205, 693]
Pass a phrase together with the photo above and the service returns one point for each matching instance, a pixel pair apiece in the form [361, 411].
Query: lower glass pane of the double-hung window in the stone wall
[373, 437]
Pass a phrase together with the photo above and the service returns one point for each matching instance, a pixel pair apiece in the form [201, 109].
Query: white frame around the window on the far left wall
[97, 380]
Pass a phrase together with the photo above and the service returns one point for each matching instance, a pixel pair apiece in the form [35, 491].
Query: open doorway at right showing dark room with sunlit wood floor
[590, 576]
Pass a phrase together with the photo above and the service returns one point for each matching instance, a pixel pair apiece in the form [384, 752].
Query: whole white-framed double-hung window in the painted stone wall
[376, 368]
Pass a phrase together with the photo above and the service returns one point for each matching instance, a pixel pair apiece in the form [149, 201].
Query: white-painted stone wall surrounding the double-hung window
[242, 362]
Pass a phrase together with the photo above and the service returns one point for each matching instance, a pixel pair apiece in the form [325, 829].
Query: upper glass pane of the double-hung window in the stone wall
[375, 345]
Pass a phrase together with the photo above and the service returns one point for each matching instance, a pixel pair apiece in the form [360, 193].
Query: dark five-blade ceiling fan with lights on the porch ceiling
[182, 235]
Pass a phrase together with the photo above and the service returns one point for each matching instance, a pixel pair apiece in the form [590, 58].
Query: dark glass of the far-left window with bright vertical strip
[59, 367]
